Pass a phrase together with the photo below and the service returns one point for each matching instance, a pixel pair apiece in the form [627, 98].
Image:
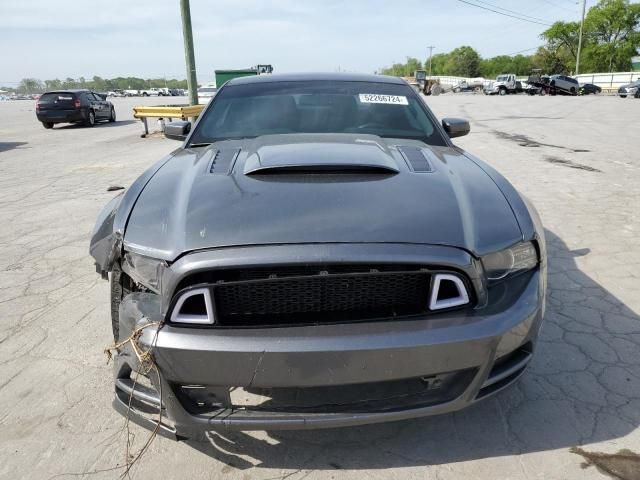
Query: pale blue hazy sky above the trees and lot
[49, 39]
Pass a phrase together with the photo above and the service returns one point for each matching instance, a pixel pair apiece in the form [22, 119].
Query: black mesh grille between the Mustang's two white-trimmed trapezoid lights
[321, 298]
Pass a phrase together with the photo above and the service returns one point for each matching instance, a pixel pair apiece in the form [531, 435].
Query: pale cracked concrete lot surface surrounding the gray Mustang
[578, 159]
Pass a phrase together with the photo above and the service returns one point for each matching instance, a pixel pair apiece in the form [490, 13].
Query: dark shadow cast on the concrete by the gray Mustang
[583, 386]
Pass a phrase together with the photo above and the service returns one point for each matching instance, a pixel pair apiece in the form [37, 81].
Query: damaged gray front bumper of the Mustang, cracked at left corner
[474, 354]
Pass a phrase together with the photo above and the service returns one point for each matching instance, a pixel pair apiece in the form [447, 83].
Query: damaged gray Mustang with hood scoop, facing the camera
[316, 254]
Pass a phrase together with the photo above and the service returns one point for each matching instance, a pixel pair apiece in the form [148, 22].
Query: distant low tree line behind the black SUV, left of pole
[34, 85]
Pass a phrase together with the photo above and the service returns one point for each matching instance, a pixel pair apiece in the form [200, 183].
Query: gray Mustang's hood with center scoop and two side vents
[286, 189]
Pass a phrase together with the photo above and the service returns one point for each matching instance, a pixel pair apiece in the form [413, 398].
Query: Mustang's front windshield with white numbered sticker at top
[251, 110]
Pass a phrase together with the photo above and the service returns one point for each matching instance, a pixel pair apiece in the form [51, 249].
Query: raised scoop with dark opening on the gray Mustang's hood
[364, 156]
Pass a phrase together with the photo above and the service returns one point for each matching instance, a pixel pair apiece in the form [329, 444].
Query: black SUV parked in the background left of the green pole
[74, 106]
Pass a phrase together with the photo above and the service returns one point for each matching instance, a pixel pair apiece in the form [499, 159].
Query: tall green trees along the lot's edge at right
[611, 37]
